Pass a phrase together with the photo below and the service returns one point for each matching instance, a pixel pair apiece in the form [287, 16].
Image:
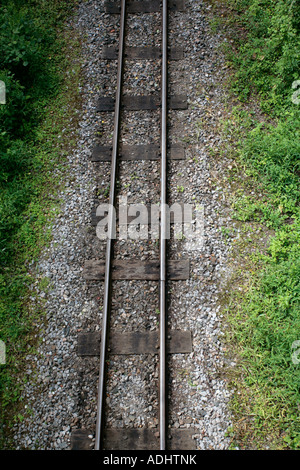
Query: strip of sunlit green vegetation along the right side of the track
[263, 51]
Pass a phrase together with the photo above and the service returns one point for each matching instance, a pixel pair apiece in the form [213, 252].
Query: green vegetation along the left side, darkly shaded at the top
[35, 134]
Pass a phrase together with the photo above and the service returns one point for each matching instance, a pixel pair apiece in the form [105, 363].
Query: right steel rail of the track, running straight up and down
[163, 231]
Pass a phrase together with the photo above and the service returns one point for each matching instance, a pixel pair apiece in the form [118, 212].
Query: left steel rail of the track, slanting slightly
[110, 236]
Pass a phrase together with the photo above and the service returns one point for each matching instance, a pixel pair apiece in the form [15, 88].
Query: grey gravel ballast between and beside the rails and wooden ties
[61, 388]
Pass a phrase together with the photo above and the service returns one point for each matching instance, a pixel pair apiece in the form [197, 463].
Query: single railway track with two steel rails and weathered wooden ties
[162, 341]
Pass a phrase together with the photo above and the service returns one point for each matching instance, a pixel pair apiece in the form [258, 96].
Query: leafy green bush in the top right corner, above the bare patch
[268, 58]
